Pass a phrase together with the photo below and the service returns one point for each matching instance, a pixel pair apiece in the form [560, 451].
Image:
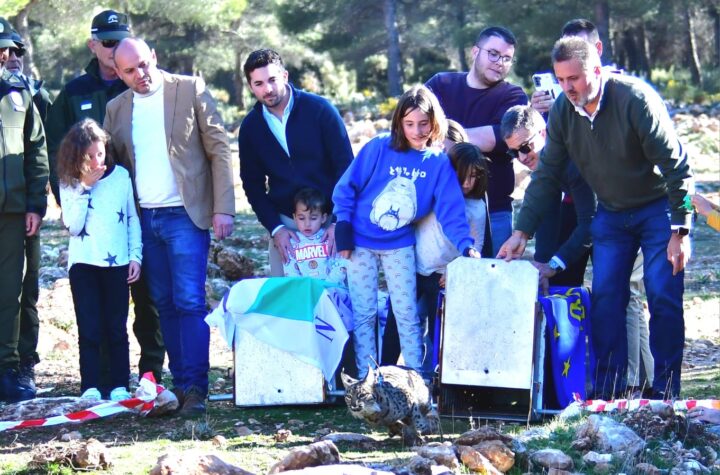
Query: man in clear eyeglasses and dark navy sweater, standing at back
[477, 100]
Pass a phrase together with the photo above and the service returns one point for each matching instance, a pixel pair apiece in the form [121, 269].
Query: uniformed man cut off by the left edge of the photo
[23, 178]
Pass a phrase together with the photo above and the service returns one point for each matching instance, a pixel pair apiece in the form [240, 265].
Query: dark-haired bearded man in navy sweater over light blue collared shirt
[290, 140]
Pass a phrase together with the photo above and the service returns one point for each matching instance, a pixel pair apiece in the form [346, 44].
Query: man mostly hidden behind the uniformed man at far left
[29, 322]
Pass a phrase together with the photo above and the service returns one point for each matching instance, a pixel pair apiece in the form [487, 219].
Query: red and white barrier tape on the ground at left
[142, 403]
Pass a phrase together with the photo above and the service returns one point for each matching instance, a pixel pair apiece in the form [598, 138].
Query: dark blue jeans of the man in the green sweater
[616, 238]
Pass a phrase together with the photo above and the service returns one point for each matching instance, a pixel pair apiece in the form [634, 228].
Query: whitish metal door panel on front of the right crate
[488, 327]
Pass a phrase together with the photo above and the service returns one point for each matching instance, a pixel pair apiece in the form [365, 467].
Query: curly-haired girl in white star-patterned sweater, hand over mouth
[105, 253]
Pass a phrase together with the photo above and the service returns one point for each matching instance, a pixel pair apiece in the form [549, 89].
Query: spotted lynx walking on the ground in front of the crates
[393, 397]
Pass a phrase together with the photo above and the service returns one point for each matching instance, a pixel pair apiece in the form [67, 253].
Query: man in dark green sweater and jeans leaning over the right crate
[618, 132]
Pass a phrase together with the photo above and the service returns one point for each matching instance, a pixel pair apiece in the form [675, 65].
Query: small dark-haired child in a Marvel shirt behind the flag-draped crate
[309, 256]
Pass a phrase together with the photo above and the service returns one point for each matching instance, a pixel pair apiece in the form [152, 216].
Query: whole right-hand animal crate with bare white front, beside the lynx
[492, 341]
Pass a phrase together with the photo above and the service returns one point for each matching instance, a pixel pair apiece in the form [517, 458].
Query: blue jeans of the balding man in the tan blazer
[175, 255]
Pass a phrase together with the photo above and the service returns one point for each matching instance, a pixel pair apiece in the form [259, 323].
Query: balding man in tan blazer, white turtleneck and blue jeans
[166, 130]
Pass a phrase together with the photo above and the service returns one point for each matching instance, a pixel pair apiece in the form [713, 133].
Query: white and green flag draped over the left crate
[293, 314]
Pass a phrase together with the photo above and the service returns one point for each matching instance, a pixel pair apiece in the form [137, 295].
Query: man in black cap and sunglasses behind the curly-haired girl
[87, 96]
